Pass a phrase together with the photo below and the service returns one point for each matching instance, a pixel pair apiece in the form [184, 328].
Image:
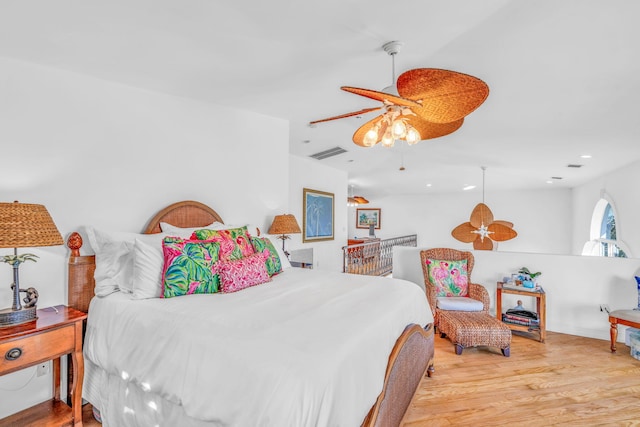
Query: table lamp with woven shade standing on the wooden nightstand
[24, 225]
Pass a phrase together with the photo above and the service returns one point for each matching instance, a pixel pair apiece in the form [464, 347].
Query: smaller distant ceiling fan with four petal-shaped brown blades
[482, 229]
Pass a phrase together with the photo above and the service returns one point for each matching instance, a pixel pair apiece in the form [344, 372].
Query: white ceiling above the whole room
[564, 75]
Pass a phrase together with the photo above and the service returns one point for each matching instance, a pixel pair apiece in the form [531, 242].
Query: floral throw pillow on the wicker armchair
[450, 278]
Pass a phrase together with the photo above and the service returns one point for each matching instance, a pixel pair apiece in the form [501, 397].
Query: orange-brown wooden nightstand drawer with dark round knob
[20, 353]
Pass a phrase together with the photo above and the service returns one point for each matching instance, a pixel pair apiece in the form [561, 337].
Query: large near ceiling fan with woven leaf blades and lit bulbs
[428, 103]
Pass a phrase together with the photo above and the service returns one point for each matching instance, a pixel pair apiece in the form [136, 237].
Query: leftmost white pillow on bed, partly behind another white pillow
[114, 258]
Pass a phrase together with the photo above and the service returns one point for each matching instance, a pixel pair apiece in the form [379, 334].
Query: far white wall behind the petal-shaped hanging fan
[542, 219]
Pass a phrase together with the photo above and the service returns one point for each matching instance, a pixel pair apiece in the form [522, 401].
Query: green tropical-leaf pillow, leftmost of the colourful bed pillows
[188, 267]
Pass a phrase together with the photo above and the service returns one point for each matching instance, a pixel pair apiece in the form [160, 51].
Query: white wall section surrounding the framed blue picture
[311, 173]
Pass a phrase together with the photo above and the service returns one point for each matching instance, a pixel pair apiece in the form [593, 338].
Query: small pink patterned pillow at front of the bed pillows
[243, 273]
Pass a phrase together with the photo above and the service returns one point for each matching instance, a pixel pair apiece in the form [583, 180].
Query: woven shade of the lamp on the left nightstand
[27, 225]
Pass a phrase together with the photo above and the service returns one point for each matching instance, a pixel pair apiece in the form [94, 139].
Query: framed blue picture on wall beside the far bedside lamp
[317, 218]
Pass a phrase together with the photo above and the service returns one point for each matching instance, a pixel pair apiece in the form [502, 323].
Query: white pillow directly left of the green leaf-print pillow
[148, 261]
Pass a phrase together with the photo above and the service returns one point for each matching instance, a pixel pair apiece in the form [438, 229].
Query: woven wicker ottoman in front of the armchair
[471, 329]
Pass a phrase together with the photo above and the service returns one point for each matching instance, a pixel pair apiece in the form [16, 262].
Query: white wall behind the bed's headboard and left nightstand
[108, 155]
